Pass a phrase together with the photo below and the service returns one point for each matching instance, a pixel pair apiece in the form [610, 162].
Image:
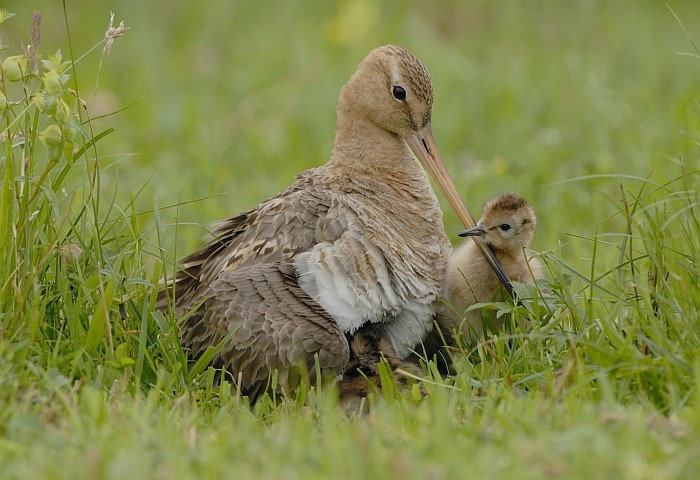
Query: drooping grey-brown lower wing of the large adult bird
[273, 322]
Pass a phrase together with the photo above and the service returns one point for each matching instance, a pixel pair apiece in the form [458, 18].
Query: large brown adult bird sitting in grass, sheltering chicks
[357, 241]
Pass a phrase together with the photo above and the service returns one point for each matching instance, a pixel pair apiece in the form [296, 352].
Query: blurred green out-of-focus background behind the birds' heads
[236, 97]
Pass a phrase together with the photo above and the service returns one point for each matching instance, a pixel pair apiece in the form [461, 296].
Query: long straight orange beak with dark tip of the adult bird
[425, 148]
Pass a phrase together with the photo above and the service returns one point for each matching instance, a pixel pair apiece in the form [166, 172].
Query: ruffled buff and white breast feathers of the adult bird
[385, 267]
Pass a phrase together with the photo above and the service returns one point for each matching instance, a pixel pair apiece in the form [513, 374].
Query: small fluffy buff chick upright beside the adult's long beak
[507, 225]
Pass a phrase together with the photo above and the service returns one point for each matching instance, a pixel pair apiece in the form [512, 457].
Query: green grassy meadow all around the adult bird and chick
[585, 108]
